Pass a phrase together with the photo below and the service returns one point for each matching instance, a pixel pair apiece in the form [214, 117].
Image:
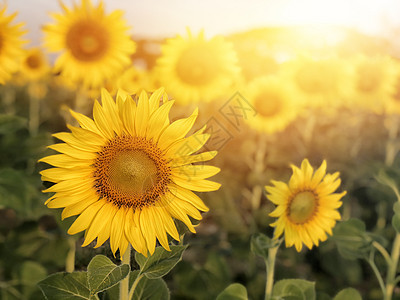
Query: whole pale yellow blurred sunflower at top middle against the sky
[195, 69]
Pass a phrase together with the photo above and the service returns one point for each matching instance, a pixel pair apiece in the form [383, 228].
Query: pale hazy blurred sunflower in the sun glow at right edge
[373, 81]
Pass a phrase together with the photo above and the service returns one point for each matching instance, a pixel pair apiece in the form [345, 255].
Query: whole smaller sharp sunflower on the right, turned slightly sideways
[307, 206]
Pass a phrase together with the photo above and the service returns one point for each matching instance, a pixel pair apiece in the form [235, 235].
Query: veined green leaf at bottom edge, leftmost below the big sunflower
[66, 286]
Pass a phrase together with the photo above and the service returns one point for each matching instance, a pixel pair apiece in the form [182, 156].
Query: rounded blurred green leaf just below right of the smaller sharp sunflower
[352, 240]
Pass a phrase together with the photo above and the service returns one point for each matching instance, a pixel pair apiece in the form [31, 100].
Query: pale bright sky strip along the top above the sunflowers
[166, 18]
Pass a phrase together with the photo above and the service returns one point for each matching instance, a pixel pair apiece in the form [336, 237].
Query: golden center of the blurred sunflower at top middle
[197, 66]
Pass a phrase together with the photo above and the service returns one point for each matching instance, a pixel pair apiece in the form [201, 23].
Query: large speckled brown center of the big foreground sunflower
[131, 172]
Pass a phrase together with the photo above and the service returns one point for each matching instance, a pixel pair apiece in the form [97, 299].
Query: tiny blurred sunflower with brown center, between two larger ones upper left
[34, 65]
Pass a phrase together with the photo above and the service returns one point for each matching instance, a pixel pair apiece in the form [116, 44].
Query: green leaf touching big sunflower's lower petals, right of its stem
[161, 262]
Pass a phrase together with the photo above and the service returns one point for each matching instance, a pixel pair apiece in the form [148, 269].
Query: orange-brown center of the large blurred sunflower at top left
[87, 40]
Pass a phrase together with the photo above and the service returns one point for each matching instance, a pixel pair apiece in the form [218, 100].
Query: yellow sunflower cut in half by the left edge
[10, 45]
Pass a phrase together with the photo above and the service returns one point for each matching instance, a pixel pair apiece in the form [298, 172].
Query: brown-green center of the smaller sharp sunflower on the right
[302, 207]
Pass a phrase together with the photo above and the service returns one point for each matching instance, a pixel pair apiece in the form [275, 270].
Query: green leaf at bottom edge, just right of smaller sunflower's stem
[294, 289]
